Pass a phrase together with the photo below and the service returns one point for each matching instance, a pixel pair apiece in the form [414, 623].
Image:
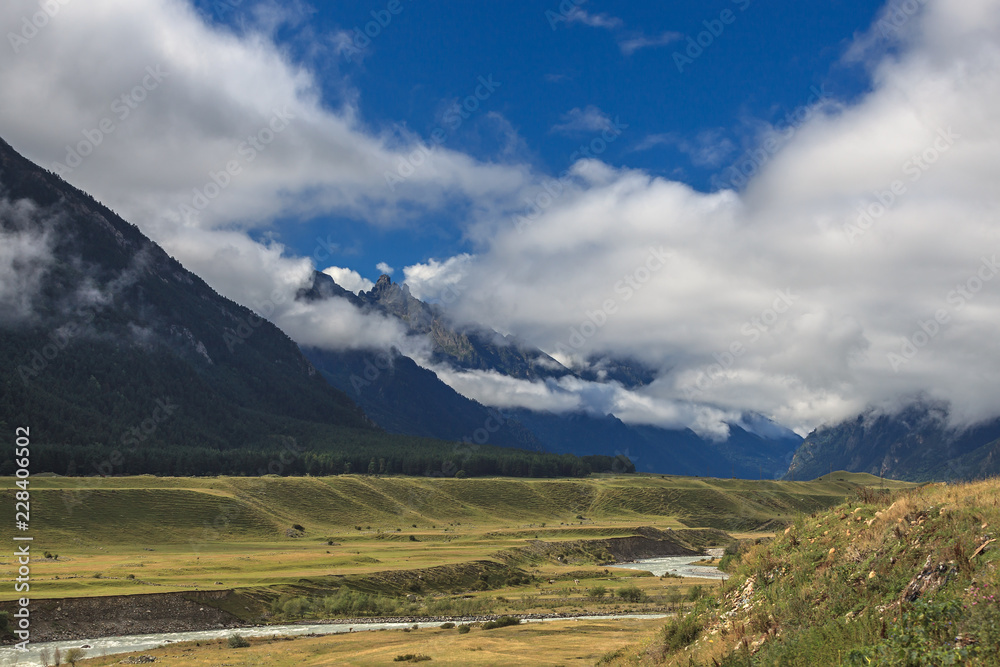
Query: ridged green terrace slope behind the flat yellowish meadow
[130, 510]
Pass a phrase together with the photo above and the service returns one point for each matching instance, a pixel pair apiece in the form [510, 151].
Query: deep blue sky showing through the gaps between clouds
[768, 60]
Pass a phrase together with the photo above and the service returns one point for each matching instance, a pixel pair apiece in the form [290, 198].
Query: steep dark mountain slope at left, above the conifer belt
[102, 333]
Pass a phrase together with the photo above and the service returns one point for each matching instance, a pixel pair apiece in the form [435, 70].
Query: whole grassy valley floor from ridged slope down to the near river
[147, 554]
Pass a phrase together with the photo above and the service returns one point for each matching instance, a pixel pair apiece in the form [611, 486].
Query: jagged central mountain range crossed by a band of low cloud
[402, 397]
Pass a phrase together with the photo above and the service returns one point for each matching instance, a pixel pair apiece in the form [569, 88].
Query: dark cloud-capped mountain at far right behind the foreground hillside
[914, 444]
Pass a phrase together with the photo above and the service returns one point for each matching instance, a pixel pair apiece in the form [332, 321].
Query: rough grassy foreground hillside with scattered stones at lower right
[906, 579]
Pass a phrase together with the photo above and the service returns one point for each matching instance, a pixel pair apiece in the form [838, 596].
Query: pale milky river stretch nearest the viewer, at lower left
[35, 654]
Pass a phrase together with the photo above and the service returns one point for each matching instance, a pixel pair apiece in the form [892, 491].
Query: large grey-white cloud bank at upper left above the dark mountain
[212, 92]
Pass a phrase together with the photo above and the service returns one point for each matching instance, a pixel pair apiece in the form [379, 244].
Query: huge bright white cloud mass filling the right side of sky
[815, 291]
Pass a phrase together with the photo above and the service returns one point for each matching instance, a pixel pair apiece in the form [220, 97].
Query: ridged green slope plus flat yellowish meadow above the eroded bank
[117, 536]
